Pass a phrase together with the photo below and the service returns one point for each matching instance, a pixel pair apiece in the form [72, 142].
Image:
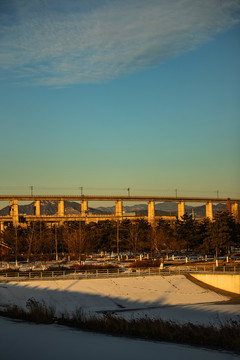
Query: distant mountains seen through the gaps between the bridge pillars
[162, 209]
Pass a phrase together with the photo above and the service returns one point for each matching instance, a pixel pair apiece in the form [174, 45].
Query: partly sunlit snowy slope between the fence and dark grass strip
[167, 297]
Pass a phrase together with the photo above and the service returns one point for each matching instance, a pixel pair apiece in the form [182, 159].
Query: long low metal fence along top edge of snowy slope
[107, 273]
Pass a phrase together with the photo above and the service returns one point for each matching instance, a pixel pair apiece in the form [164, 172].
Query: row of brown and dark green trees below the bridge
[78, 239]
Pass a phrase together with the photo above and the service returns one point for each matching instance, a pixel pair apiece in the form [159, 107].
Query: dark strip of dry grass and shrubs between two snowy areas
[226, 336]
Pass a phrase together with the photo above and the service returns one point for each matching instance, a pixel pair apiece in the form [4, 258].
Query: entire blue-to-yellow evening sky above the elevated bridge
[109, 95]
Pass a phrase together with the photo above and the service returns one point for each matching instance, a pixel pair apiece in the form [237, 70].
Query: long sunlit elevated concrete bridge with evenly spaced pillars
[13, 217]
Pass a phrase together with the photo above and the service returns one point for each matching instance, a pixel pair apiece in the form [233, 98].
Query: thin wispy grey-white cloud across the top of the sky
[65, 42]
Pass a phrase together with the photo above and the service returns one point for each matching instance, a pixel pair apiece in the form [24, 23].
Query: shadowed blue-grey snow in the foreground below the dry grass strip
[30, 341]
